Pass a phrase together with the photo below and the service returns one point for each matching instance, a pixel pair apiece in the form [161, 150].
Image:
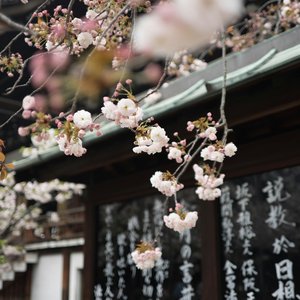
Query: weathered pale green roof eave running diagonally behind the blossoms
[267, 57]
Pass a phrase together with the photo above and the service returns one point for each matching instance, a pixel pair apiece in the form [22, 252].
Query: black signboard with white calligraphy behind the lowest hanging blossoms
[121, 226]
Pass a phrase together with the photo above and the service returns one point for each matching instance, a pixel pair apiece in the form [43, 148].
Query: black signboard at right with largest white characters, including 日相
[260, 218]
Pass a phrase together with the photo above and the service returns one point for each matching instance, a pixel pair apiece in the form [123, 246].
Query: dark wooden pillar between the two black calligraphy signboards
[211, 261]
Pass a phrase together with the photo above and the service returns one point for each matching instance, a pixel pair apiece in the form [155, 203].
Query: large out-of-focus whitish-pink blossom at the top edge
[193, 25]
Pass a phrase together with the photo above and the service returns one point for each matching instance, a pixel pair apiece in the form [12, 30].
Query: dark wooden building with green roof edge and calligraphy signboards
[263, 109]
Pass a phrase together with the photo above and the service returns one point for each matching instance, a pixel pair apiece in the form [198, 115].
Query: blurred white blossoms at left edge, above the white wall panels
[17, 215]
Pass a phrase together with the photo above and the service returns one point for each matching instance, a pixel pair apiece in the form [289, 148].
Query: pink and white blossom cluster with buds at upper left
[62, 30]
